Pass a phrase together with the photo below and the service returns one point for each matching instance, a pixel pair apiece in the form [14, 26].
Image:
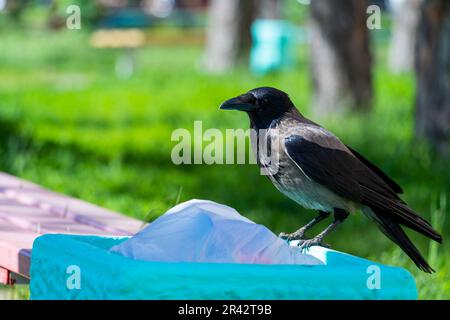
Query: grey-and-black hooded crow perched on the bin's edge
[316, 170]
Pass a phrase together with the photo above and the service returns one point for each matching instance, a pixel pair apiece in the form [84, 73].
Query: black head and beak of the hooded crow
[261, 104]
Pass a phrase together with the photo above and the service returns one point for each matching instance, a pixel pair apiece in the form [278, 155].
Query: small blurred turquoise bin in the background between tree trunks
[273, 45]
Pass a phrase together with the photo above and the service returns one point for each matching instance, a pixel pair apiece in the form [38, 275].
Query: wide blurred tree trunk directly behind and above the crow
[340, 56]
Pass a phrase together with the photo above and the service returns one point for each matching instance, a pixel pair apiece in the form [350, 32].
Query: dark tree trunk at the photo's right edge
[433, 74]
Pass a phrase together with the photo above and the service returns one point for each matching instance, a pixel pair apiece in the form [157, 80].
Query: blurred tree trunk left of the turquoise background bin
[228, 35]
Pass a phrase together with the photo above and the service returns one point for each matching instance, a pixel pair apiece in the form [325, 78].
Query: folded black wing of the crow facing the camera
[347, 176]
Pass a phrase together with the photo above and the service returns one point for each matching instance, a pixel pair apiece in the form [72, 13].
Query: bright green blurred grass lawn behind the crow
[68, 123]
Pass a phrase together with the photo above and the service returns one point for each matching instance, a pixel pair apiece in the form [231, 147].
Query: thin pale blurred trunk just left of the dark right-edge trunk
[406, 19]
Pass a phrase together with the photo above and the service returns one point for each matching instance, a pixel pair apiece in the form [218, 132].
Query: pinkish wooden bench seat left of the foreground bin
[28, 210]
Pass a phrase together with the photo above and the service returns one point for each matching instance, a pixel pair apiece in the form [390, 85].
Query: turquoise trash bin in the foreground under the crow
[82, 267]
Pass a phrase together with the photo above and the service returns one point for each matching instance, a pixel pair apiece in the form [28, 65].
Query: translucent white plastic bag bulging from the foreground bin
[205, 231]
